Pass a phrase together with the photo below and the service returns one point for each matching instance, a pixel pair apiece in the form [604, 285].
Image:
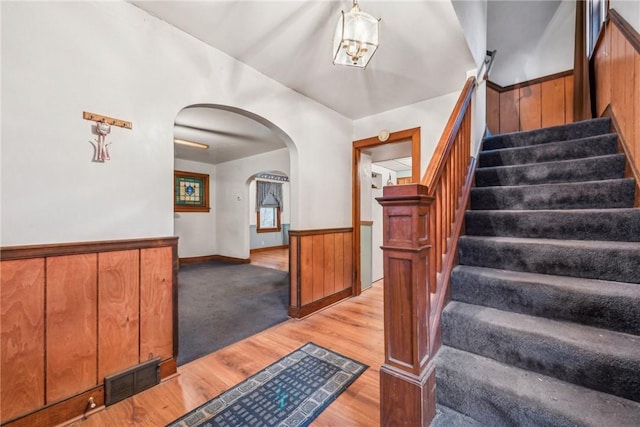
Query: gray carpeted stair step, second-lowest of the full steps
[599, 359]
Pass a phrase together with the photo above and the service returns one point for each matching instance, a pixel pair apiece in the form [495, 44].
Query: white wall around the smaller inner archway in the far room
[232, 199]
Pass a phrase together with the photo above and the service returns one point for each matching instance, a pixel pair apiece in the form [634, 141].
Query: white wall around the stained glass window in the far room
[196, 231]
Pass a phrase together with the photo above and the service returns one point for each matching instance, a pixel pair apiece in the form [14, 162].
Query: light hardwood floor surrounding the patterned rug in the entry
[353, 328]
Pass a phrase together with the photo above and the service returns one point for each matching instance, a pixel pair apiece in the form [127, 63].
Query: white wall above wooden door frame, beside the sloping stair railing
[431, 116]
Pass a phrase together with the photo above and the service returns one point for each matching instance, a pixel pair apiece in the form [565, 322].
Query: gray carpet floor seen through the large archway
[221, 303]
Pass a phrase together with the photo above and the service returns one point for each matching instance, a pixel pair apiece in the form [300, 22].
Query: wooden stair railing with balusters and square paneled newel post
[421, 226]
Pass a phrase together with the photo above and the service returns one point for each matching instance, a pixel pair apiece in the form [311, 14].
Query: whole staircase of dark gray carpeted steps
[544, 324]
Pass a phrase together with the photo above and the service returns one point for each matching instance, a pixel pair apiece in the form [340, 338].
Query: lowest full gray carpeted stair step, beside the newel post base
[497, 395]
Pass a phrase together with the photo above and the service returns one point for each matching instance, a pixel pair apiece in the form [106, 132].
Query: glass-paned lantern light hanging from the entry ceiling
[356, 38]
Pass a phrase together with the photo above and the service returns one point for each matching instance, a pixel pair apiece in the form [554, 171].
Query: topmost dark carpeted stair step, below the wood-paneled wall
[549, 134]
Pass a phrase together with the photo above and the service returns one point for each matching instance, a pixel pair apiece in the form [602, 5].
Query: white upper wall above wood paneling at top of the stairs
[533, 39]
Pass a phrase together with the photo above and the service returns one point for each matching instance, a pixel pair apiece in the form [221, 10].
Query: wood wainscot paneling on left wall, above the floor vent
[73, 313]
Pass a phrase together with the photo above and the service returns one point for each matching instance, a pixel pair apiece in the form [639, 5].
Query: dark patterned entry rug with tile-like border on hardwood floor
[290, 392]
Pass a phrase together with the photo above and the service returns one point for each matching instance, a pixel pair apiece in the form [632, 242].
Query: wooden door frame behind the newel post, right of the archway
[412, 134]
